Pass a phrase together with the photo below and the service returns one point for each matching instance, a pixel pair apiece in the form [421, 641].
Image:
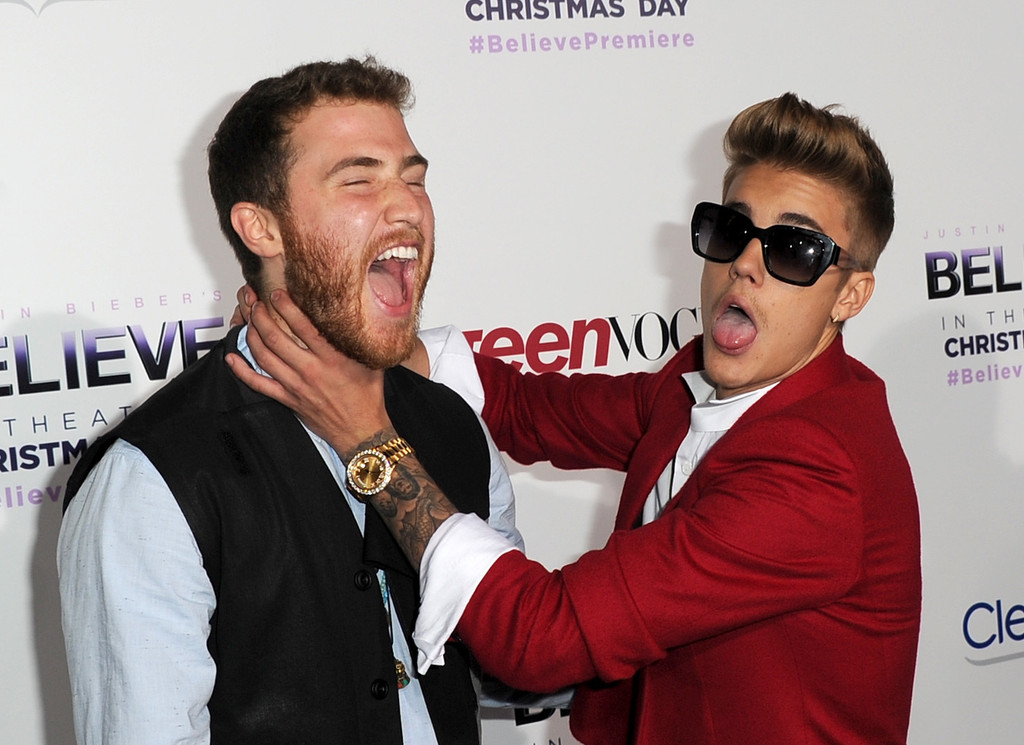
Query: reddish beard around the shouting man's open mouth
[326, 281]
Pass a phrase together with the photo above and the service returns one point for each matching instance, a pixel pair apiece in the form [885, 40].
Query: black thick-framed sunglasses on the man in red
[793, 255]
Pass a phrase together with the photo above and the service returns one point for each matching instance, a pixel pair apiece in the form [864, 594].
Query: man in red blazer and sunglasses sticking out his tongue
[763, 583]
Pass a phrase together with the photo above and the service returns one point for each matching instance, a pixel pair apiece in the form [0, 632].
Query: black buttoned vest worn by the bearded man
[301, 636]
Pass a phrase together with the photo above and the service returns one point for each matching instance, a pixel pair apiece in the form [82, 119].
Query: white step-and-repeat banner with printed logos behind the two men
[569, 142]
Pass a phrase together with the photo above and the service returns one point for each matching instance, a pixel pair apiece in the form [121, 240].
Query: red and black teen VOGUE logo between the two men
[554, 347]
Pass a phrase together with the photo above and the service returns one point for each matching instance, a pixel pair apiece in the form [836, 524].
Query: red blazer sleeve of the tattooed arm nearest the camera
[762, 529]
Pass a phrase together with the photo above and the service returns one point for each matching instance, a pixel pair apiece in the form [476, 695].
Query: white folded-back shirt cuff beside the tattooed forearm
[457, 558]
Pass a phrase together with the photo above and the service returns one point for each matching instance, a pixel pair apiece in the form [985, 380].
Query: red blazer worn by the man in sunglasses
[778, 599]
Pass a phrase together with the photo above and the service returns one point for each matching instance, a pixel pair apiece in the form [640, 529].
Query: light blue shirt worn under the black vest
[137, 604]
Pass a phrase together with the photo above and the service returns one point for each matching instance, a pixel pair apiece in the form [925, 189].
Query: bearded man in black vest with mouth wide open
[221, 583]
